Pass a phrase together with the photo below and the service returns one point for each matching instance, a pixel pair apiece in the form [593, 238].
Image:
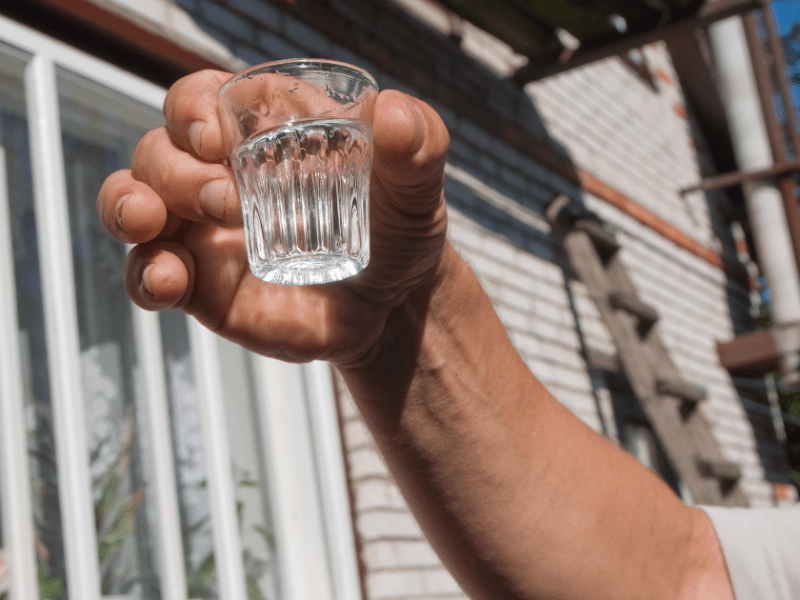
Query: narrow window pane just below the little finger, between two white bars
[190, 466]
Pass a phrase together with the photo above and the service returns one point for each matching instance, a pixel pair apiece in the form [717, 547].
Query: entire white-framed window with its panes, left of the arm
[141, 457]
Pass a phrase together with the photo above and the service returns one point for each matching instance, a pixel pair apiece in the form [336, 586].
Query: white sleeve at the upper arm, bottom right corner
[762, 550]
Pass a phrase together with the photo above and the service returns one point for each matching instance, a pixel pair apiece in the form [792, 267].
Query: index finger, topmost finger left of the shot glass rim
[190, 109]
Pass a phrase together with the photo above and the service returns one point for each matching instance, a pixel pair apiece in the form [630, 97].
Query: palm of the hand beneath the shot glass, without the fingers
[335, 321]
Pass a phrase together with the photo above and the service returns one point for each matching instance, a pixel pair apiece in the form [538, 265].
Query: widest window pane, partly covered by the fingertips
[100, 129]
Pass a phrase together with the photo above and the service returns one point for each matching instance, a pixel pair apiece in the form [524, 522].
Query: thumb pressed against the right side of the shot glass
[411, 144]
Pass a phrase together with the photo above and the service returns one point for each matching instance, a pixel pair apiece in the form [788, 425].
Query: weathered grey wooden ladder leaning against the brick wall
[686, 435]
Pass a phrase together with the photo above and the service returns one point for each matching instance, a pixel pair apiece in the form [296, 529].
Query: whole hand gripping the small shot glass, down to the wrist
[179, 204]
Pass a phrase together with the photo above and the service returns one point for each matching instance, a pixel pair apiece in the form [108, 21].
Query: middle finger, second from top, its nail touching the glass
[191, 188]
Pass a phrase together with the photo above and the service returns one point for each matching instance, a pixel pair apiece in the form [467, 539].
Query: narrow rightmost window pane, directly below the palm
[249, 471]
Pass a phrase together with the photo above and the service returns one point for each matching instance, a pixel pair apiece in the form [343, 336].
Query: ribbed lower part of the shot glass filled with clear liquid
[304, 189]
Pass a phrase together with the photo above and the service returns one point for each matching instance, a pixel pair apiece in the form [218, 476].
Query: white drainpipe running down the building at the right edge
[763, 199]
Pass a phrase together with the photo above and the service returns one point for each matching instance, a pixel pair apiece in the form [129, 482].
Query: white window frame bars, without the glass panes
[307, 484]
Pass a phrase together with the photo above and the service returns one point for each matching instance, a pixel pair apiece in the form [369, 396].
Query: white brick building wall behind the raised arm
[633, 143]
